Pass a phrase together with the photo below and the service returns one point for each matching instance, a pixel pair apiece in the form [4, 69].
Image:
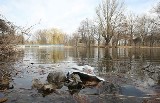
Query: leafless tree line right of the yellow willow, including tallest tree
[113, 27]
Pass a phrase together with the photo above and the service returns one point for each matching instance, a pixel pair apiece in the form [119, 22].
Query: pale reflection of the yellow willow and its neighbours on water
[44, 55]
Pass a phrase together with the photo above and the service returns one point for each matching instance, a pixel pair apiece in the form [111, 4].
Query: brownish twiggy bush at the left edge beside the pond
[7, 36]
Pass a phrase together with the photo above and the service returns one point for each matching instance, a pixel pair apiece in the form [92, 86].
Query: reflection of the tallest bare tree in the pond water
[114, 60]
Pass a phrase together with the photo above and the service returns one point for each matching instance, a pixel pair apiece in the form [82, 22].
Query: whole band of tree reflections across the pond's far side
[141, 64]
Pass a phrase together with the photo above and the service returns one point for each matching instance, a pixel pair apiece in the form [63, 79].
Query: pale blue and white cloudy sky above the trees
[63, 14]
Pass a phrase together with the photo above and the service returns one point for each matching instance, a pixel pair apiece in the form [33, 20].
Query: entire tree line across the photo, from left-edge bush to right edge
[111, 27]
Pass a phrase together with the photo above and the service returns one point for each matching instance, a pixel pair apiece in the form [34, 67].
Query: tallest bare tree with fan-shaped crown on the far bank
[109, 15]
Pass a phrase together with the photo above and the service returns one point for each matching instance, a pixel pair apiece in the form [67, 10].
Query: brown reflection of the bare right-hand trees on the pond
[131, 62]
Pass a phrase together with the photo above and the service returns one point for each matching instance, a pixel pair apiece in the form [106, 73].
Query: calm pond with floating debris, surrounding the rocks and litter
[132, 75]
